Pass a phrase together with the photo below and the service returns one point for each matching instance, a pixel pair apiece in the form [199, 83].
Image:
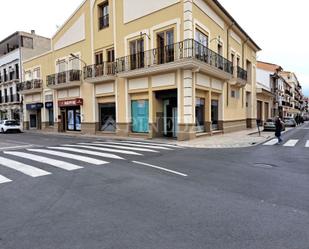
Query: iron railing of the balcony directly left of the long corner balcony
[95, 71]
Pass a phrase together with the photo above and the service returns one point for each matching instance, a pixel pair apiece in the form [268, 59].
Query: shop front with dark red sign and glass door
[70, 115]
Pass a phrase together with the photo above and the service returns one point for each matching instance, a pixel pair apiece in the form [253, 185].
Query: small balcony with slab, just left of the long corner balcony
[100, 73]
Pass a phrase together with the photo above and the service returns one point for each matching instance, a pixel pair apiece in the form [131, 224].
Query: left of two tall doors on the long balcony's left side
[137, 54]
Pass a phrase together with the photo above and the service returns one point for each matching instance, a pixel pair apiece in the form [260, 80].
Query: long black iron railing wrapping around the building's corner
[187, 49]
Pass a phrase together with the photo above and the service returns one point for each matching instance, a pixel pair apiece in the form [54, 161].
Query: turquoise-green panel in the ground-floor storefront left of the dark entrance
[140, 116]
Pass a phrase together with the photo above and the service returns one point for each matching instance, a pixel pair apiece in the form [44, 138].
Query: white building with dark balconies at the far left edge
[13, 50]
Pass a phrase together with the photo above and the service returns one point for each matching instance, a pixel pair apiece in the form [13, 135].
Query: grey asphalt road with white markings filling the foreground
[166, 197]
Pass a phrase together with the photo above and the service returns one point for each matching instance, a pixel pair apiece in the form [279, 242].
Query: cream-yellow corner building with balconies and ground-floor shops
[172, 68]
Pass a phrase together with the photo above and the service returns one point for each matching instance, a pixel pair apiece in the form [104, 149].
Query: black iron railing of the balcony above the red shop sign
[64, 77]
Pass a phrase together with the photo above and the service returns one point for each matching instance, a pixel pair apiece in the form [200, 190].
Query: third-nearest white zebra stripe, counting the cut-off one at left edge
[49, 161]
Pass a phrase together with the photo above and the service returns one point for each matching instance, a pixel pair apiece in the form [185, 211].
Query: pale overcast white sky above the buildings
[280, 27]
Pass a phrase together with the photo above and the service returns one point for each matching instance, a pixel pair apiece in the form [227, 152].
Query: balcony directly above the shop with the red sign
[65, 79]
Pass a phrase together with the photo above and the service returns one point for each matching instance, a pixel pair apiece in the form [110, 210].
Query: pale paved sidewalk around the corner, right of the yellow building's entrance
[240, 139]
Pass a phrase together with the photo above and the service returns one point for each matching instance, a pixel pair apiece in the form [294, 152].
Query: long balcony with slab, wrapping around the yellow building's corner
[188, 54]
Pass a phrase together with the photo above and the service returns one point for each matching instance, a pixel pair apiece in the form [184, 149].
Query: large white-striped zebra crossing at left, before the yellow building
[97, 153]
